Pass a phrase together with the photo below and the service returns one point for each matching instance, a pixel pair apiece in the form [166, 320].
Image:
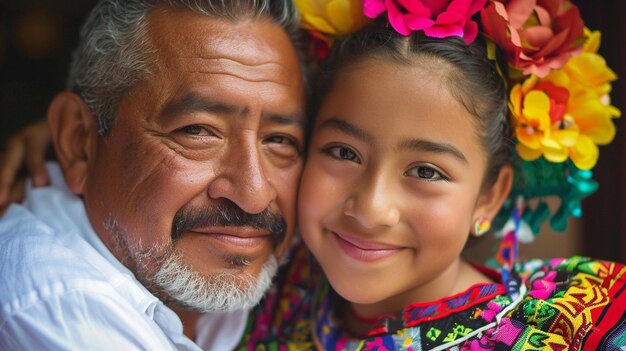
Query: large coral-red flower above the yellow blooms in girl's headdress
[536, 35]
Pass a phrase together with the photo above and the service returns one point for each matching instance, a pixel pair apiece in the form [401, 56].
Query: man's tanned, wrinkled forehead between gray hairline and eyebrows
[250, 50]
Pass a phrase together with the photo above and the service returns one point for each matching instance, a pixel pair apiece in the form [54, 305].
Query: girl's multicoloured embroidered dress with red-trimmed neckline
[558, 304]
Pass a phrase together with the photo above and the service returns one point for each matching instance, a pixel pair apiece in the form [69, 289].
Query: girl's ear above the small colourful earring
[491, 199]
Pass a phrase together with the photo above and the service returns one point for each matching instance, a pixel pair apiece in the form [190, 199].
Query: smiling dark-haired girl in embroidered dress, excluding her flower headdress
[411, 151]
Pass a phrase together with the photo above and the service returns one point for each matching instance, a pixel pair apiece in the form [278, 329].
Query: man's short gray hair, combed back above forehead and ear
[114, 52]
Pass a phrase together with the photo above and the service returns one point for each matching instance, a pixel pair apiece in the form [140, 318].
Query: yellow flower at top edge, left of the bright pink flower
[332, 17]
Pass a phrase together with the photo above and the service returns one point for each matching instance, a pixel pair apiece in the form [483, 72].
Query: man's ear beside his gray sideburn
[74, 135]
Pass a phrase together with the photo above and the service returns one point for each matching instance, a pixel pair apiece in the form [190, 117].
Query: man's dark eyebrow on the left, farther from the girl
[193, 102]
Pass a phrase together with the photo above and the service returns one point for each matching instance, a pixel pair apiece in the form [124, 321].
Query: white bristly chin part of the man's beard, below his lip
[219, 292]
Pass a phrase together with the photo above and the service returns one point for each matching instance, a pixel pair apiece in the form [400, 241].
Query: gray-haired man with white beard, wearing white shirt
[180, 146]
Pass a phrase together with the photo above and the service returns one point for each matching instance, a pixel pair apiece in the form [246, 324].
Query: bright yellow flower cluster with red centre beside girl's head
[566, 114]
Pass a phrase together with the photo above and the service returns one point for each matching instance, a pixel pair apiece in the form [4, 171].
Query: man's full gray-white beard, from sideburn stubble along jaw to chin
[163, 272]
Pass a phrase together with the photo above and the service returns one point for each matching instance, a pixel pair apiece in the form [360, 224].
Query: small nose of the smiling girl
[372, 204]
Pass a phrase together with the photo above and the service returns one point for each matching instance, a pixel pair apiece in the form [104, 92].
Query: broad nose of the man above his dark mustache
[243, 179]
